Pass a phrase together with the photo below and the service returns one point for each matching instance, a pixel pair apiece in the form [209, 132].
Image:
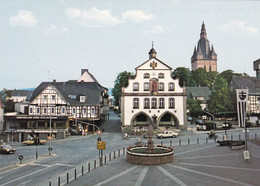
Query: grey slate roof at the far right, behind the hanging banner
[250, 83]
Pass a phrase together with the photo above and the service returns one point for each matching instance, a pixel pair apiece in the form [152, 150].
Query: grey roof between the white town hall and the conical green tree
[198, 92]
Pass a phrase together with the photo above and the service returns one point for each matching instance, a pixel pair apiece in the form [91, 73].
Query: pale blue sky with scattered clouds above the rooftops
[55, 39]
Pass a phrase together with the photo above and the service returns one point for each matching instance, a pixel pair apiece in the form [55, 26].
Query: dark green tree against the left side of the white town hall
[121, 81]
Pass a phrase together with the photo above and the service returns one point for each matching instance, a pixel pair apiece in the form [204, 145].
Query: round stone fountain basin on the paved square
[140, 156]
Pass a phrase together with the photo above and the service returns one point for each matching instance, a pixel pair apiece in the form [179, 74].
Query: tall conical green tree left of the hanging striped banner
[219, 99]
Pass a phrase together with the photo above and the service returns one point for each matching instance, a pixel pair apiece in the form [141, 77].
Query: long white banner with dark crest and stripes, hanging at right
[242, 98]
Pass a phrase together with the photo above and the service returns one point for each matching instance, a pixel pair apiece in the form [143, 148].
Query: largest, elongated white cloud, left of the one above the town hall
[93, 17]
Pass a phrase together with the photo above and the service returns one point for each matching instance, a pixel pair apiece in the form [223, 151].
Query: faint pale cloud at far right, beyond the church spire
[239, 28]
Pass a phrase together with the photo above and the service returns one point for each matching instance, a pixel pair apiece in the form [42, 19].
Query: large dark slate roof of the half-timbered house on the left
[92, 90]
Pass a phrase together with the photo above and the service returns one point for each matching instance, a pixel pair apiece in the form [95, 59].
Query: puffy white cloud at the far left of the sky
[24, 18]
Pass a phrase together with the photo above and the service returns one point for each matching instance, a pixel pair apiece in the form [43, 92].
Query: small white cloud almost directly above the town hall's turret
[136, 16]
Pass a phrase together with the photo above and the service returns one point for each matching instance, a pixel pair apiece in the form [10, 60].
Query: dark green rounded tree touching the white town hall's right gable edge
[184, 76]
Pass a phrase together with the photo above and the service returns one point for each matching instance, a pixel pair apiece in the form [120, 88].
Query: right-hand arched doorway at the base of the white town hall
[168, 119]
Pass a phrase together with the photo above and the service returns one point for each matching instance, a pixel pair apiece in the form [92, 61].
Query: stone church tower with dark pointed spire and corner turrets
[204, 56]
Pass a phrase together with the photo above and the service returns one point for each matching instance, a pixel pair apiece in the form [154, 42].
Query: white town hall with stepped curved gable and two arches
[153, 96]
